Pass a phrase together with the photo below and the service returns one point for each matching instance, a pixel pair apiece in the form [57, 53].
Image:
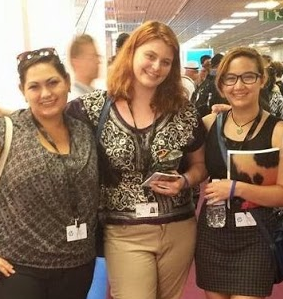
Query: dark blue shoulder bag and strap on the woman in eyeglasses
[274, 239]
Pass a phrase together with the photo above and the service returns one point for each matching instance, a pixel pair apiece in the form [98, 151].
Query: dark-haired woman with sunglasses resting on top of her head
[49, 190]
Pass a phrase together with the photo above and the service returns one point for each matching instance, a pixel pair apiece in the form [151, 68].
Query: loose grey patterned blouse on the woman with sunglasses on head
[34, 197]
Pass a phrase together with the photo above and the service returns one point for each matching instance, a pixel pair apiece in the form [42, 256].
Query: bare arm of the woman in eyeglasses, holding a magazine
[269, 196]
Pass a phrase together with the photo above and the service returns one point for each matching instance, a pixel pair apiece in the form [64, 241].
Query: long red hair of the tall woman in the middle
[170, 94]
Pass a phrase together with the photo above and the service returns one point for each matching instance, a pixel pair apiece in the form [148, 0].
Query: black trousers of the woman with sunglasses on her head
[34, 283]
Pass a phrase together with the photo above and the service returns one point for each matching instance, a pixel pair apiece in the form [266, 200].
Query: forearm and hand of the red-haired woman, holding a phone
[195, 174]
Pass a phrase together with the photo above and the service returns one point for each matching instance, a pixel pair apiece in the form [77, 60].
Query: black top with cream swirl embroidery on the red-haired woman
[122, 159]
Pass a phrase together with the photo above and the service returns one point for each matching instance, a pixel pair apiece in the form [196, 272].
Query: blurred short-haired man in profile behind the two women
[84, 60]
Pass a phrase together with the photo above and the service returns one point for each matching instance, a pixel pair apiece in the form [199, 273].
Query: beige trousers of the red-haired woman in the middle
[149, 261]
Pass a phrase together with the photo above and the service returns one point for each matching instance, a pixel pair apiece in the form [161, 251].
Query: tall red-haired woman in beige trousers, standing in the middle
[150, 127]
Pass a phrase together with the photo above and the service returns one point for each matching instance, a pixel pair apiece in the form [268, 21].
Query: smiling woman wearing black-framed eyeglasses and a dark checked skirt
[232, 257]
